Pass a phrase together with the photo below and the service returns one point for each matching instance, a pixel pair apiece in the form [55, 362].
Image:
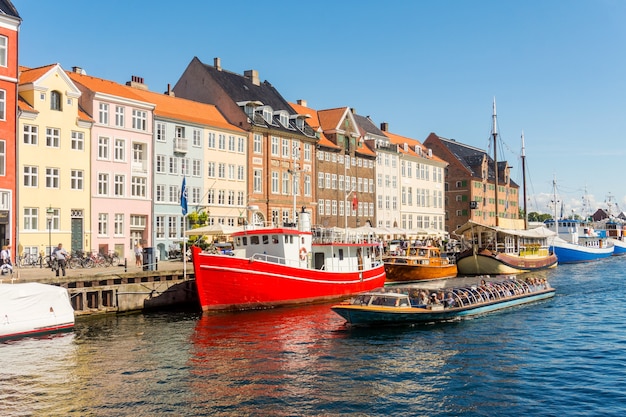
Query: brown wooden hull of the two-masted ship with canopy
[486, 262]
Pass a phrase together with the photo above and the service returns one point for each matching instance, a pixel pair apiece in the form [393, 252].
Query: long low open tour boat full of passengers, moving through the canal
[410, 306]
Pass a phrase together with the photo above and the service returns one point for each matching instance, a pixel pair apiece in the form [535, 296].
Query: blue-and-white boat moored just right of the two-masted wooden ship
[576, 240]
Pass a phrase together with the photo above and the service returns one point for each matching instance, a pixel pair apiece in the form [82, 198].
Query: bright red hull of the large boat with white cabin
[231, 283]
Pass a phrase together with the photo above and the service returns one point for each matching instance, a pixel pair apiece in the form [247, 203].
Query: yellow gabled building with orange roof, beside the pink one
[53, 163]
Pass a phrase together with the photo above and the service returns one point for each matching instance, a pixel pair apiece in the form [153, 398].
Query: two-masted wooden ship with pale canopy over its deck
[509, 246]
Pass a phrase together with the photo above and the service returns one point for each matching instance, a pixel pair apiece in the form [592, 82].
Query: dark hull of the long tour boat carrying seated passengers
[376, 316]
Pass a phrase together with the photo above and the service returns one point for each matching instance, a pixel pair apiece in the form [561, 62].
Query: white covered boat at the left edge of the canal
[32, 309]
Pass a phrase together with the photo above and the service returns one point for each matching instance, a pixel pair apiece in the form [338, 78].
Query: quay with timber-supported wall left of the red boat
[119, 289]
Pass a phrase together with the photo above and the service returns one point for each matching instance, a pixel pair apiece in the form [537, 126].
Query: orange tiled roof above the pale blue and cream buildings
[182, 109]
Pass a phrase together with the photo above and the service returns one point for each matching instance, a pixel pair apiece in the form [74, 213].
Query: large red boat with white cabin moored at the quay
[290, 264]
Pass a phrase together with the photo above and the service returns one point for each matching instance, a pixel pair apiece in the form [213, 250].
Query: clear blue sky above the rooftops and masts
[556, 68]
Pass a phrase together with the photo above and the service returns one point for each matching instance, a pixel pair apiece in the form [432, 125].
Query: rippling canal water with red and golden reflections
[561, 357]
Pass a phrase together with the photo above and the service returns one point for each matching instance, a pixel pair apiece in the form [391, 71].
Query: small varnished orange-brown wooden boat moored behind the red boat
[420, 264]
